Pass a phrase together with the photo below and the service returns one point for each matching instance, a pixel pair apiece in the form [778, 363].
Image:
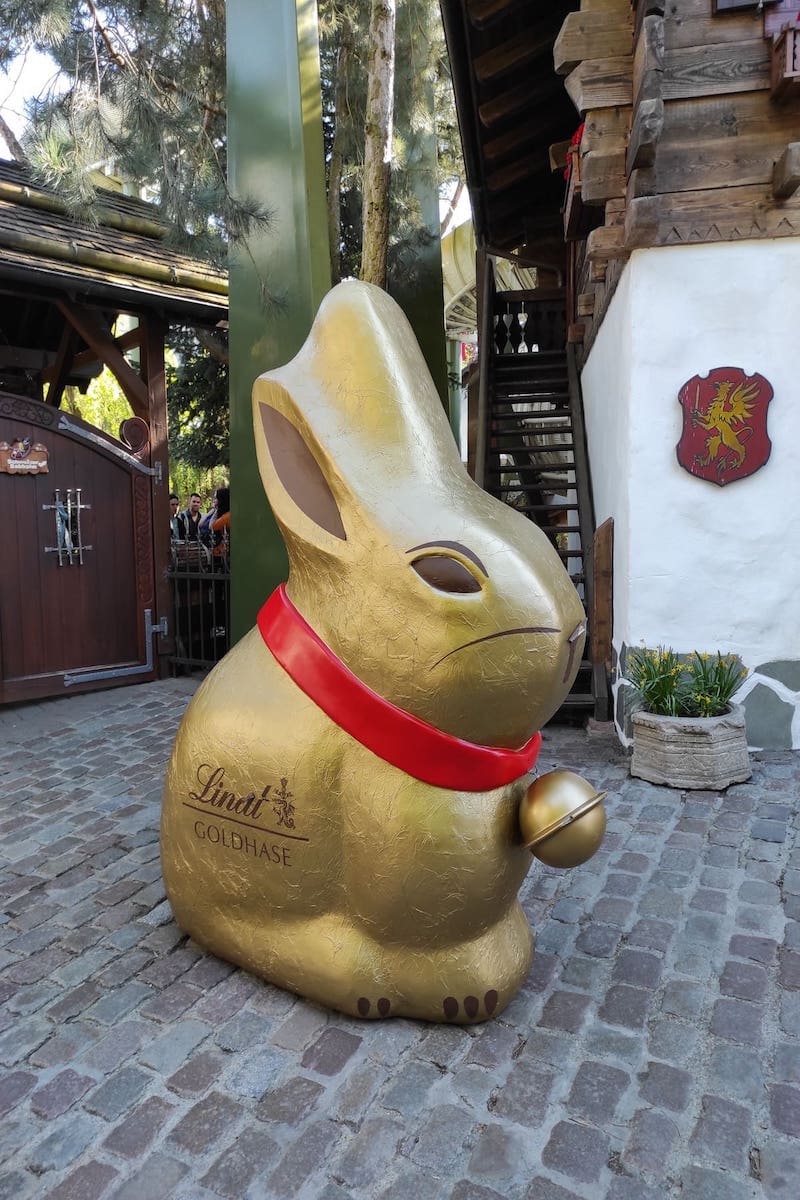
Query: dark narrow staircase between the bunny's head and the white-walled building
[532, 448]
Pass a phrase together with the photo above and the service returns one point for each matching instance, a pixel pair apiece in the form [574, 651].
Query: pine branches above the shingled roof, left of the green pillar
[146, 97]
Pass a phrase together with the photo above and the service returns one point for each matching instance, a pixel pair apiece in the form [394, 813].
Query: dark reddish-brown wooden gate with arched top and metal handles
[77, 597]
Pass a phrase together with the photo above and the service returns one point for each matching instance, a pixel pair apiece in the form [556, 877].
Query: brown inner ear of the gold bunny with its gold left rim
[297, 476]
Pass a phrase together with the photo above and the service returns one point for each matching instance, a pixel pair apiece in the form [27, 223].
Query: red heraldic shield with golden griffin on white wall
[725, 425]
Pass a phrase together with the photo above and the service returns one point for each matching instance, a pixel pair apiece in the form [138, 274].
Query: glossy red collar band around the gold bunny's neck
[390, 733]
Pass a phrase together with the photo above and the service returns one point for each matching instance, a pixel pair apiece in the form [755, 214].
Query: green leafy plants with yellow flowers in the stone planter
[700, 687]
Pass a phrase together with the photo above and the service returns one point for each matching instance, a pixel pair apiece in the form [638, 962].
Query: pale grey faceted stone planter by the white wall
[708, 753]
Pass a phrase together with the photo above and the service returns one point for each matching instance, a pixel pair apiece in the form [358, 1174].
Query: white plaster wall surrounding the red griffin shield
[700, 567]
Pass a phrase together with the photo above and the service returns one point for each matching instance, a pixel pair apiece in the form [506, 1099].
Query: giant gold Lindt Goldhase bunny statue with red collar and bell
[348, 811]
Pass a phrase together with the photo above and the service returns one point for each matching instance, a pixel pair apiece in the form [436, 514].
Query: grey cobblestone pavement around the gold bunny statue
[654, 1053]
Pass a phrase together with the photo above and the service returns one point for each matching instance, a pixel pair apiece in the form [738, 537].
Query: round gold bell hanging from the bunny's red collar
[562, 819]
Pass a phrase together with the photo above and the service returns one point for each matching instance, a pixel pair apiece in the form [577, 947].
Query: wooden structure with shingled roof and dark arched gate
[85, 537]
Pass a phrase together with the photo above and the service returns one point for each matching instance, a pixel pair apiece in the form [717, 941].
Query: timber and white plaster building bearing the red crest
[675, 241]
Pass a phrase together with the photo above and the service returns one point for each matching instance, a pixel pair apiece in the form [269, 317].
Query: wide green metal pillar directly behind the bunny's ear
[279, 279]
